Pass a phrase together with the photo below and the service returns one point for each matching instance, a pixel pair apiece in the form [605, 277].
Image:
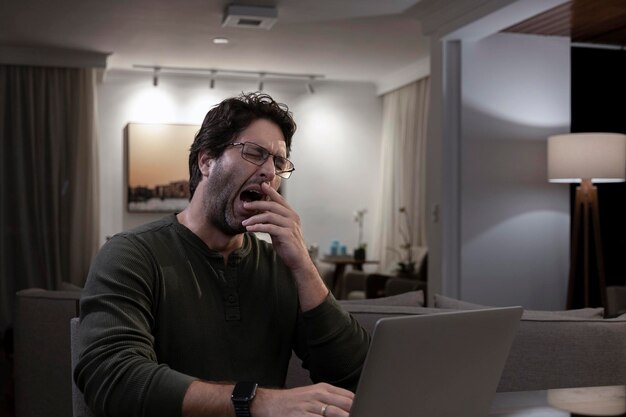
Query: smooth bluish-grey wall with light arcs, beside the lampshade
[514, 224]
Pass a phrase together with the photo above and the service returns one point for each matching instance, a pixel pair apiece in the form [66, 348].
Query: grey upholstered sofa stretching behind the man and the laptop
[551, 350]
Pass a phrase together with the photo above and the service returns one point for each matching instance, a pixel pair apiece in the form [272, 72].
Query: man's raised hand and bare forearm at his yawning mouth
[282, 223]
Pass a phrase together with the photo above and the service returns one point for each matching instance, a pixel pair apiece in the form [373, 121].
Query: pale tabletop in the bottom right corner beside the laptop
[592, 401]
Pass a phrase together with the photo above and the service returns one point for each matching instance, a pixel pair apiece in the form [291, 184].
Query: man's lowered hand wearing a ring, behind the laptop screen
[303, 401]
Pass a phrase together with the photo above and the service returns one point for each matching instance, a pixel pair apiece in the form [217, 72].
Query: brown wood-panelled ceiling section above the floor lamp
[585, 21]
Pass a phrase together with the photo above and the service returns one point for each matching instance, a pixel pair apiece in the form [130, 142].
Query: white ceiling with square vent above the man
[349, 40]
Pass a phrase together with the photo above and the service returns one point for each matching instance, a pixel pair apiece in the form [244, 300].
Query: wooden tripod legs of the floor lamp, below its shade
[586, 212]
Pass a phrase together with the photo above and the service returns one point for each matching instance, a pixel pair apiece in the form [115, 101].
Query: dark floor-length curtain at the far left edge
[48, 179]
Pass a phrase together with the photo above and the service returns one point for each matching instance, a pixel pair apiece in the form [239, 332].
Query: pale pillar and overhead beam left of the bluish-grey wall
[448, 24]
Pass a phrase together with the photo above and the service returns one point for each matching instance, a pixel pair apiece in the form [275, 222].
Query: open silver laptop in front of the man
[437, 365]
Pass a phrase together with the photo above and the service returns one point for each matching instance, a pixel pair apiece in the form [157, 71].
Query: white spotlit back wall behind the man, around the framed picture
[335, 149]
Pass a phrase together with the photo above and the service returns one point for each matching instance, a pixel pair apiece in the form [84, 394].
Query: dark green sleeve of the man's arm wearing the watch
[118, 371]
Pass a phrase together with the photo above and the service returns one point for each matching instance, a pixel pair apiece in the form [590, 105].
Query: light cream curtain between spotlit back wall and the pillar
[403, 174]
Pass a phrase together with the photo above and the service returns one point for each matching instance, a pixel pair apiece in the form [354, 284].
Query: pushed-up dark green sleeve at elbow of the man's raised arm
[332, 344]
